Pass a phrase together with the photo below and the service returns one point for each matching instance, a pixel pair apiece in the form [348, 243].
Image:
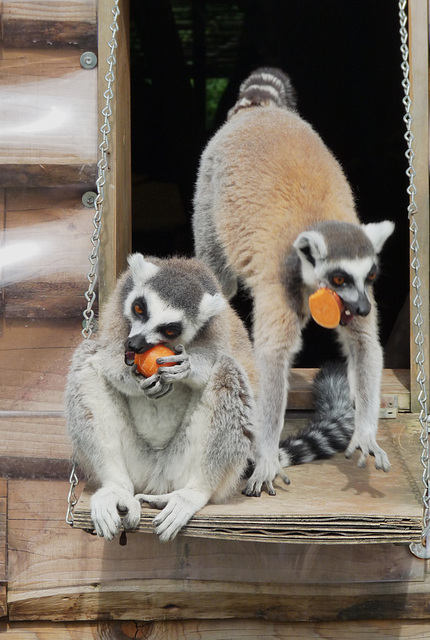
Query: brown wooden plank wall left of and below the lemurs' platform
[56, 582]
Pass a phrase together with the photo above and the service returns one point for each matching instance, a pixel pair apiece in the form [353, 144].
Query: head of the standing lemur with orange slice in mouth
[343, 257]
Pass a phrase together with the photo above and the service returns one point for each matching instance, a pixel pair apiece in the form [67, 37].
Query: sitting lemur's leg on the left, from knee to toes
[103, 435]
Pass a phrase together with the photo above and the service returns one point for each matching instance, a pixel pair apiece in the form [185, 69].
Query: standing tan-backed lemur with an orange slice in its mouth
[273, 209]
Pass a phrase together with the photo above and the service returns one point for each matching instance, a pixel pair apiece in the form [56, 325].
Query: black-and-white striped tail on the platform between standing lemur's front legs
[332, 425]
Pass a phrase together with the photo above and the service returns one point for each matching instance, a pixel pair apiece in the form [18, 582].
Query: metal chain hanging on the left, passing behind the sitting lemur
[102, 165]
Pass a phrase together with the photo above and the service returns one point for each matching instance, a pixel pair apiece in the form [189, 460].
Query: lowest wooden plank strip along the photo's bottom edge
[218, 630]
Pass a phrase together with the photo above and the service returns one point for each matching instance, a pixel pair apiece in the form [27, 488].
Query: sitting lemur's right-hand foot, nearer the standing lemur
[177, 509]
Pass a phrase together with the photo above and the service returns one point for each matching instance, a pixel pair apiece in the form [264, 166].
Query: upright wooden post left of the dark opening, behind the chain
[116, 223]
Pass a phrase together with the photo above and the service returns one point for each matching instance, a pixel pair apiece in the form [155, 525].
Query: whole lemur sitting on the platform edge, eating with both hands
[181, 437]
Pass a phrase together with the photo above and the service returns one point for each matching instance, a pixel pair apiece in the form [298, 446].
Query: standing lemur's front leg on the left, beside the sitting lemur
[277, 338]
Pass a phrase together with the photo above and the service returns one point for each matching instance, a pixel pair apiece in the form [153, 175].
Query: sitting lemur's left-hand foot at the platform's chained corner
[111, 508]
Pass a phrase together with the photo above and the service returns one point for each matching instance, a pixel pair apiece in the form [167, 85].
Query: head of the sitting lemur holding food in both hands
[164, 306]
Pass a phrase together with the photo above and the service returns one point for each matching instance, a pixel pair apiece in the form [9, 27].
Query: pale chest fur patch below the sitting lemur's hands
[157, 421]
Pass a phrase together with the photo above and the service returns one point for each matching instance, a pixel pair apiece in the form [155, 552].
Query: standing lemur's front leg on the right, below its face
[365, 361]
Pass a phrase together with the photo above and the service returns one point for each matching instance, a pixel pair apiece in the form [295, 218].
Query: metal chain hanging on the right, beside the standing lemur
[416, 282]
